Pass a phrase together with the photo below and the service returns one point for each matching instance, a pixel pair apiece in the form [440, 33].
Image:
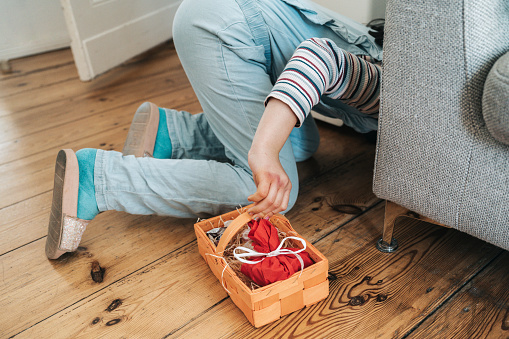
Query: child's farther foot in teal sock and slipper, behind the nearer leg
[148, 134]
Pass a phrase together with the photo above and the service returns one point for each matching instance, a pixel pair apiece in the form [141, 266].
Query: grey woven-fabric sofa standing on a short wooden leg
[443, 146]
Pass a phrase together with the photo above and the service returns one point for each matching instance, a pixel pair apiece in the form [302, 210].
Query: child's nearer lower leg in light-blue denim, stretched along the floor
[173, 187]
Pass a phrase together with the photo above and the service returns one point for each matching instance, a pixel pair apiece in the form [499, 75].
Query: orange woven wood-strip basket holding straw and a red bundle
[268, 303]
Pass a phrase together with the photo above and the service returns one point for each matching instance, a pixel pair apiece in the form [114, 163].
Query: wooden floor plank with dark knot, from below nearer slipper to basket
[34, 288]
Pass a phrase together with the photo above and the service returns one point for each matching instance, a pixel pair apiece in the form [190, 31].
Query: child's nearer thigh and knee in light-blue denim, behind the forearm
[223, 46]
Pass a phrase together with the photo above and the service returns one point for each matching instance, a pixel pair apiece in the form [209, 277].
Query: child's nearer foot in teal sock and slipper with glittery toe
[74, 203]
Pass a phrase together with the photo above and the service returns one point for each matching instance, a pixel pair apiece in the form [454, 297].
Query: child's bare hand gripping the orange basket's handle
[273, 185]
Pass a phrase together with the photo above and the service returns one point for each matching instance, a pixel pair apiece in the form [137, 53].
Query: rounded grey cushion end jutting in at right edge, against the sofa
[495, 101]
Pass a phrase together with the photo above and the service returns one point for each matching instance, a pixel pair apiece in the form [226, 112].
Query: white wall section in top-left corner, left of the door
[30, 27]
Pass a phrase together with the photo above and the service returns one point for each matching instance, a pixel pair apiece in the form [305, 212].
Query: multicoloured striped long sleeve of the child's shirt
[318, 67]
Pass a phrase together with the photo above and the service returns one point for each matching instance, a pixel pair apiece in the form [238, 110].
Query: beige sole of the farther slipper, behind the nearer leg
[141, 137]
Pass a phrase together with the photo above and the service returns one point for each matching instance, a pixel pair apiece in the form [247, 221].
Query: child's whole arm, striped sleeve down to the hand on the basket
[316, 68]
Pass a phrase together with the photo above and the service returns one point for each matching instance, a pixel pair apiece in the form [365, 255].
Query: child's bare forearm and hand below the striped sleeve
[272, 182]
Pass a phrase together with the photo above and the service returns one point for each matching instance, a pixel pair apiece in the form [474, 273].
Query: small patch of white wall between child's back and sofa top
[360, 10]
